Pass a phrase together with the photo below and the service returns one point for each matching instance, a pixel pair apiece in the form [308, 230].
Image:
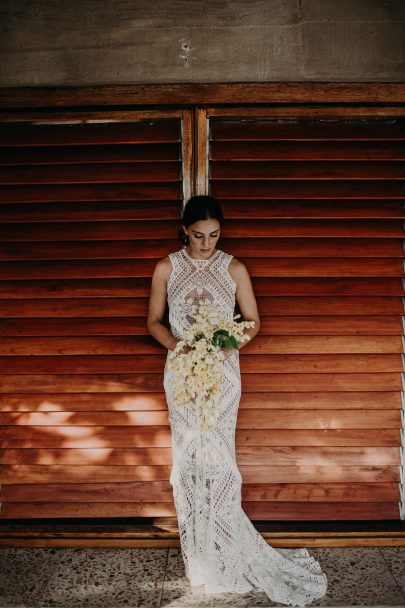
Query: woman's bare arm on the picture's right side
[245, 297]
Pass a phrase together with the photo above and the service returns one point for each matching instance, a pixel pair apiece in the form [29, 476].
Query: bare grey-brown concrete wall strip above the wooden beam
[79, 42]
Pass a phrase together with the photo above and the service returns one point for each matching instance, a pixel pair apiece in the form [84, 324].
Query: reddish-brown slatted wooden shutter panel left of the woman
[86, 209]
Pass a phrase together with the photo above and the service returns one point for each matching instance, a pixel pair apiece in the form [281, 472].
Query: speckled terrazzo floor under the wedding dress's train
[114, 578]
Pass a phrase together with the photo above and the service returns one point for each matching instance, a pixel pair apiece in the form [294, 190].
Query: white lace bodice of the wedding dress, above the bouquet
[192, 281]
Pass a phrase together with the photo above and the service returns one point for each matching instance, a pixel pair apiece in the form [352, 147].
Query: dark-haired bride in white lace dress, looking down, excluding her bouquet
[221, 548]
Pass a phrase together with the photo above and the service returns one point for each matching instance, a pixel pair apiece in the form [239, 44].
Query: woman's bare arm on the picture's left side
[157, 305]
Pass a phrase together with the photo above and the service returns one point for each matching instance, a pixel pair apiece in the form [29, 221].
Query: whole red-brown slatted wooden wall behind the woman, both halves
[313, 209]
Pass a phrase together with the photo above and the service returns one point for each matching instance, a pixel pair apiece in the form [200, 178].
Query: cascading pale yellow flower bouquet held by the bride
[197, 375]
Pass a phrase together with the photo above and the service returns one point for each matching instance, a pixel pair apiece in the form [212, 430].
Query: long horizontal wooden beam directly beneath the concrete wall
[202, 93]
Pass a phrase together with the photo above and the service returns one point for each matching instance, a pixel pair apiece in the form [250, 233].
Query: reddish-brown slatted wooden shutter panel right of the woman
[315, 211]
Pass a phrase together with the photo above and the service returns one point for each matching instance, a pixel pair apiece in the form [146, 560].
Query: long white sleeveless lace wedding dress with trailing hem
[221, 548]
